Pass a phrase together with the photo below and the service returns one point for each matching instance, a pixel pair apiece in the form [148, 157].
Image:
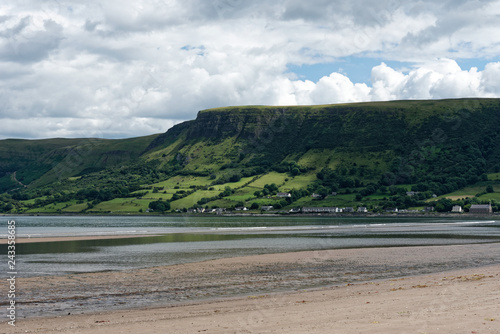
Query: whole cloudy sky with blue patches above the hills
[119, 69]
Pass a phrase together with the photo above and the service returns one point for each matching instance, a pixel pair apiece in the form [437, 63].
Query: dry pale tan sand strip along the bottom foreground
[458, 301]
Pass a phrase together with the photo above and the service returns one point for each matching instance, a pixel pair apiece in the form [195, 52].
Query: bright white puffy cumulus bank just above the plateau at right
[439, 79]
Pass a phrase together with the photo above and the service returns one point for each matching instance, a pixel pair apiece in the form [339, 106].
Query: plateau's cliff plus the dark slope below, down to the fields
[398, 142]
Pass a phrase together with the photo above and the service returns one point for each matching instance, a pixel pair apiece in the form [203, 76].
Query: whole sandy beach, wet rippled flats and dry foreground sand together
[275, 293]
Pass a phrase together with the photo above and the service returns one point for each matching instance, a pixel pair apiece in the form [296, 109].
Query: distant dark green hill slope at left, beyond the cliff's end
[40, 162]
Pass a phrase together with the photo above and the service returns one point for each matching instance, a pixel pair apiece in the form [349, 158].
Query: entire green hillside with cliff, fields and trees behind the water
[369, 154]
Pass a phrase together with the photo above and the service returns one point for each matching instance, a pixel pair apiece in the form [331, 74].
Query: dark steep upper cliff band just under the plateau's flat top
[398, 125]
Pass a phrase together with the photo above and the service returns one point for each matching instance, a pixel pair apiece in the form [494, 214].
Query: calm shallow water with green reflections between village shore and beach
[176, 240]
